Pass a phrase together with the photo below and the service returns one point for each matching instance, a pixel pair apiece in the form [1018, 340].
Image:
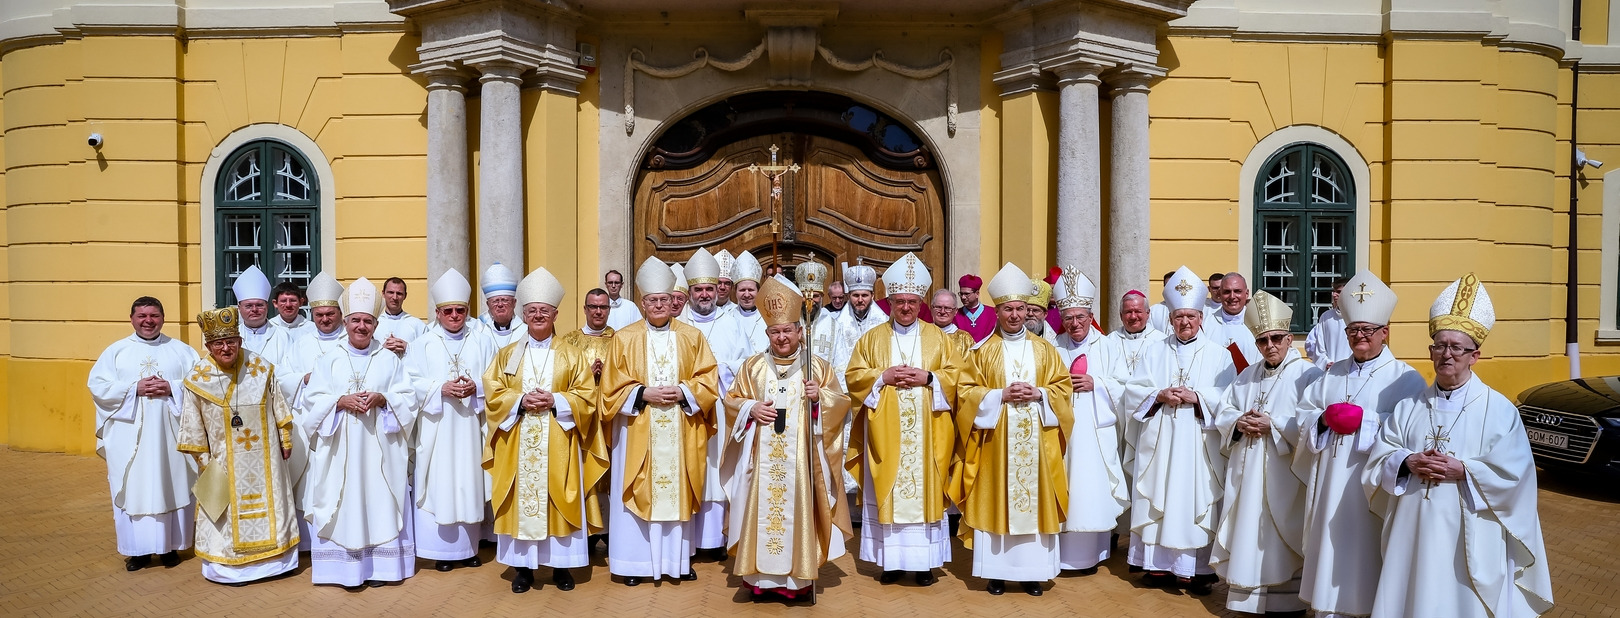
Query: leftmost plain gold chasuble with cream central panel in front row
[539, 468]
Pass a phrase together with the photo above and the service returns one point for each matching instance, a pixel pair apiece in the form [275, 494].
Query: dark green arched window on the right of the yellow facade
[1305, 228]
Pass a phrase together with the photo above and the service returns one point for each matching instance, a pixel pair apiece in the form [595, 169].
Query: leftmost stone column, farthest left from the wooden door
[448, 217]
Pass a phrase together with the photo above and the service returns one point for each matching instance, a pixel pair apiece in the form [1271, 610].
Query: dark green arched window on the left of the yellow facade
[266, 213]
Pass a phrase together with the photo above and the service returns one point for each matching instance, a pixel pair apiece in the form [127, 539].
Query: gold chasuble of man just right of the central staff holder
[905, 444]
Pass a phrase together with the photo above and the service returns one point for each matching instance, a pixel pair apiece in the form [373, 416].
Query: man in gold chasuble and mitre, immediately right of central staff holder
[903, 445]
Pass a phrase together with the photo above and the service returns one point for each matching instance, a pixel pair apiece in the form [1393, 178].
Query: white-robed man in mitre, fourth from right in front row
[1179, 468]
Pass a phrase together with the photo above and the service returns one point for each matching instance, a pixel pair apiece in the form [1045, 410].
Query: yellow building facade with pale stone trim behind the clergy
[1451, 126]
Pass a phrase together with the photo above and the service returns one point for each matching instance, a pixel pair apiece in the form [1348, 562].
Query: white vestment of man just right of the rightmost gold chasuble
[1098, 483]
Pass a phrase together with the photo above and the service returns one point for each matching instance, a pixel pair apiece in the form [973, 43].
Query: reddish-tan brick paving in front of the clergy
[58, 557]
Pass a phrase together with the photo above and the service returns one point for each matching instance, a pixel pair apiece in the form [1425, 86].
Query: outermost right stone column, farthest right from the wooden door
[1128, 210]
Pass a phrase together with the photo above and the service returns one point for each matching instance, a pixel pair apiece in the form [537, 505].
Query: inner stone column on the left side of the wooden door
[501, 168]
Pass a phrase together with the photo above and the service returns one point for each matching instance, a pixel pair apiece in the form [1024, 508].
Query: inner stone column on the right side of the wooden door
[1080, 170]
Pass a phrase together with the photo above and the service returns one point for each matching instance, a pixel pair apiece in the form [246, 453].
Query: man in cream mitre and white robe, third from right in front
[1258, 546]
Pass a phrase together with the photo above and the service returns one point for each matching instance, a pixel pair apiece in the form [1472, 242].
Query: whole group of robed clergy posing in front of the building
[733, 416]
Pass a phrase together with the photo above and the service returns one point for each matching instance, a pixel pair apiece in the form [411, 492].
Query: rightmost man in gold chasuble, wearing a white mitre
[1013, 423]
